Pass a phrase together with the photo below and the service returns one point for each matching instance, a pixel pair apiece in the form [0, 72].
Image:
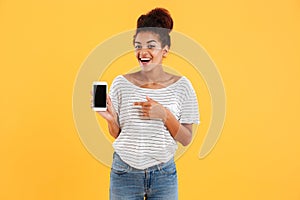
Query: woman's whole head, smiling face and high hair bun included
[152, 40]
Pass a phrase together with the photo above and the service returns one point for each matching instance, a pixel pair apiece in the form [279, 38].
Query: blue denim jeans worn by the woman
[154, 183]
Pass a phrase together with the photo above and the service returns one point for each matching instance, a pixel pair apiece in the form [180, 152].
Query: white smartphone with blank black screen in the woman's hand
[99, 96]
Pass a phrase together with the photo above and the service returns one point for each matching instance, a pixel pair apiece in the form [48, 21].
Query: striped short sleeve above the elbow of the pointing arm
[189, 112]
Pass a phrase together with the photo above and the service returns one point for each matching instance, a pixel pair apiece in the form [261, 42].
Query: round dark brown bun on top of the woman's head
[158, 17]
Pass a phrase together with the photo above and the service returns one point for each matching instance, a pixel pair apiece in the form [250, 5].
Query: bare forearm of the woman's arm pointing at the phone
[178, 131]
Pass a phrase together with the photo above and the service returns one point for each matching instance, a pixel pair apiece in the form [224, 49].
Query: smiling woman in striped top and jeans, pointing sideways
[149, 111]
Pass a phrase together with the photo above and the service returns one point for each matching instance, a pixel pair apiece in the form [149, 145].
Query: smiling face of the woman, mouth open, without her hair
[148, 50]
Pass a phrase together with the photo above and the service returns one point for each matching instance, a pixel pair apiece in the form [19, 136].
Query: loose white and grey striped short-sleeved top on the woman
[143, 143]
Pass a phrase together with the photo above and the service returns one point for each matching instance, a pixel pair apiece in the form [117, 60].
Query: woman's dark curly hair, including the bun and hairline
[158, 21]
